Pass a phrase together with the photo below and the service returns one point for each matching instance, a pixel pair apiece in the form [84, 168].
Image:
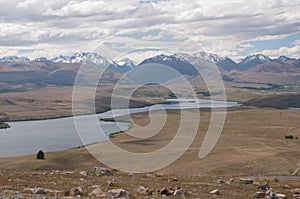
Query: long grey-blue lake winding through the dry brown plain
[28, 137]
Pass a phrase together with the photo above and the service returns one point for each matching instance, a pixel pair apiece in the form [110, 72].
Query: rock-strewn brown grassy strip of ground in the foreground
[106, 183]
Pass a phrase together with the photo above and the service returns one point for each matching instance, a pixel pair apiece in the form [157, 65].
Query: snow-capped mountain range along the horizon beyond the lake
[62, 70]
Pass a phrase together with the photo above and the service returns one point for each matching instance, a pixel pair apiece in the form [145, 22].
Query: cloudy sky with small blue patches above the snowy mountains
[233, 28]
